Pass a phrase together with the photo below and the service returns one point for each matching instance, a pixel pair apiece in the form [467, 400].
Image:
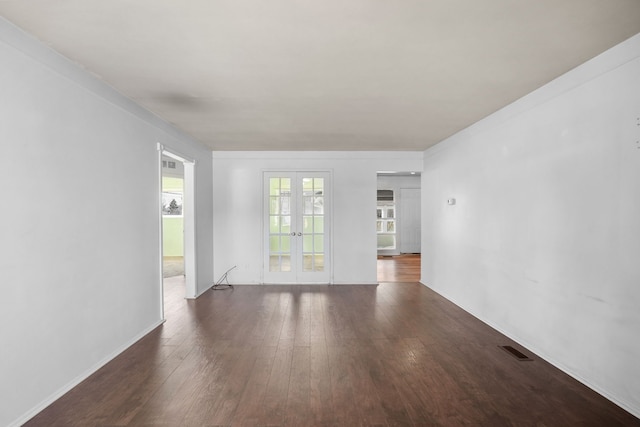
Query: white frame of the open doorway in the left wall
[189, 218]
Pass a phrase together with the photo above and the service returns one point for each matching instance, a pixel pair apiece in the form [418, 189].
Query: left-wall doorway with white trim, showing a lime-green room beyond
[177, 227]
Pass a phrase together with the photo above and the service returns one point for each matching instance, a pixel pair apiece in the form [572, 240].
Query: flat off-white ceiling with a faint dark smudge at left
[326, 74]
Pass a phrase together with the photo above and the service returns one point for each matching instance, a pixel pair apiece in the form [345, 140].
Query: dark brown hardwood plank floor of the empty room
[388, 355]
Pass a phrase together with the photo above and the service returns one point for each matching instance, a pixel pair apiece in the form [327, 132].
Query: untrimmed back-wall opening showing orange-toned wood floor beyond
[398, 226]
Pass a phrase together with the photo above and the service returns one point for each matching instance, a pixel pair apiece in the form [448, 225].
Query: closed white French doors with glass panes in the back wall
[297, 227]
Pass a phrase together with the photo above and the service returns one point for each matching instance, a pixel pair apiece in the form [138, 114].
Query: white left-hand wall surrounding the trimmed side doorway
[80, 230]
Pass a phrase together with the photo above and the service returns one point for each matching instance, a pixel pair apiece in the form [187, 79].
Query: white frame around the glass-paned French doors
[329, 210]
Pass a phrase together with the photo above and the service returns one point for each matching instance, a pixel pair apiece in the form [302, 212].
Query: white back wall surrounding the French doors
[238, 206]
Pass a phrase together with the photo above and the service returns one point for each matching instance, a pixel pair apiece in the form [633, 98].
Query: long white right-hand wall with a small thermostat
[544, 241]
